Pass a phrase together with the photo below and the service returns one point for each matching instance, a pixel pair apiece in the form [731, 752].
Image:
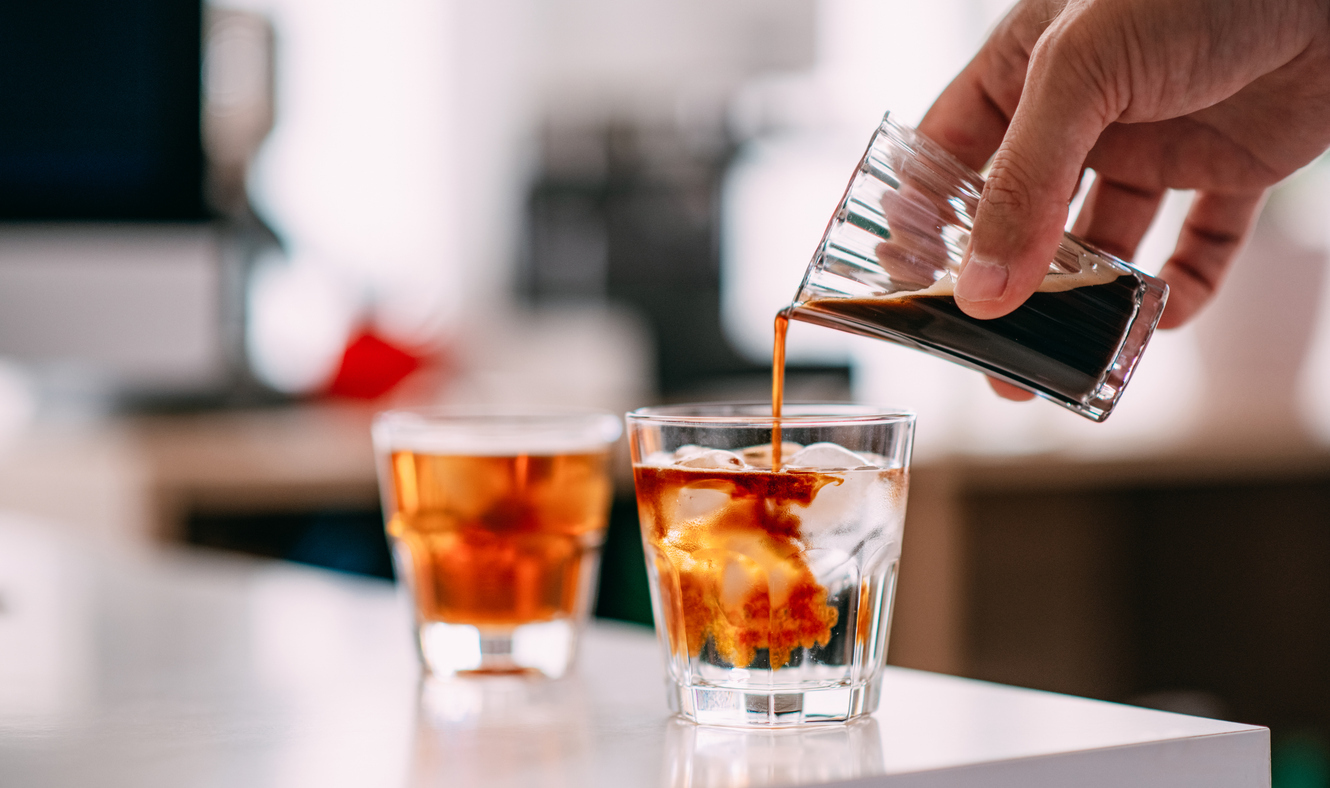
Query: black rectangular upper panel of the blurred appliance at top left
[102, 111]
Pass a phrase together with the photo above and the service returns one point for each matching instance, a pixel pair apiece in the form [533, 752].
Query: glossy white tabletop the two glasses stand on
[190, 670]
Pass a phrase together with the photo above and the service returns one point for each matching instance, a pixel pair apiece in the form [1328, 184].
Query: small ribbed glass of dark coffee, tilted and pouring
[888, 267]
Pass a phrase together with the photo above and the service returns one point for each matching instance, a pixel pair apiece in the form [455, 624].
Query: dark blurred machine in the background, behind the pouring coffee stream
[628, 214]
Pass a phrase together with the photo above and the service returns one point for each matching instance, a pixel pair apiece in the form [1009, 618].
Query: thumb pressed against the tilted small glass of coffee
[1019, 224]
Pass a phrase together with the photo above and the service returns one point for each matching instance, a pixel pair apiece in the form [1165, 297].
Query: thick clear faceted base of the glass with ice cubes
[718, 706]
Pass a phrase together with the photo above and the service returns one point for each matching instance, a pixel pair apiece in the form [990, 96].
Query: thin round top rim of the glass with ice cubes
[749, 415]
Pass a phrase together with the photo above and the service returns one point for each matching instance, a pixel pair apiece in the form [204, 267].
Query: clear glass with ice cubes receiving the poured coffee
[772, 589]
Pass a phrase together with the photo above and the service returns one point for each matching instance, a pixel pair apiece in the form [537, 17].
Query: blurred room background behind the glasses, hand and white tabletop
[229, 234]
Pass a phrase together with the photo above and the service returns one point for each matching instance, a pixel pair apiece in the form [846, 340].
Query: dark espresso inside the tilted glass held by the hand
[1062, 343]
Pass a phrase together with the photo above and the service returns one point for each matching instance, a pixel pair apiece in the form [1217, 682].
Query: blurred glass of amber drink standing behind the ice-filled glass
[497, 521]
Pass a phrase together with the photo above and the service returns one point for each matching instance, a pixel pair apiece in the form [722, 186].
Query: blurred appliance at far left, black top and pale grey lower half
[116, 276]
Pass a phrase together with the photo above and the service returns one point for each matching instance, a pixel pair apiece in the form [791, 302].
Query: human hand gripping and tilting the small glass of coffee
[1222, 98]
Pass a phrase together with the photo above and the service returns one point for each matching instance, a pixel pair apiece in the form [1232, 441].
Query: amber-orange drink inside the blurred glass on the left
[498, 541]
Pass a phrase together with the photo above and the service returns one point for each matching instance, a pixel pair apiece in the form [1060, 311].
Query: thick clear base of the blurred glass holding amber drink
[542, 649]
